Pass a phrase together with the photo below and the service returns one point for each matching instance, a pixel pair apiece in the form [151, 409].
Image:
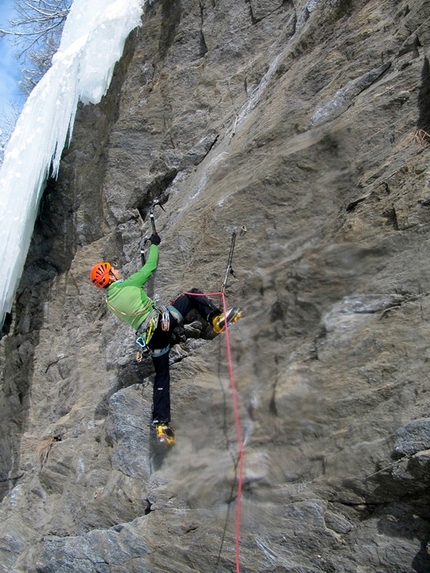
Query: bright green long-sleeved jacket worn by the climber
[127, 299]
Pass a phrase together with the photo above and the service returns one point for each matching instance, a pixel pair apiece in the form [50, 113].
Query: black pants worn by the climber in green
[161, 340]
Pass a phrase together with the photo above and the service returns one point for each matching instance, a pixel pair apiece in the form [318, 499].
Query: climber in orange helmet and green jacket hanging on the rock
[154, 324]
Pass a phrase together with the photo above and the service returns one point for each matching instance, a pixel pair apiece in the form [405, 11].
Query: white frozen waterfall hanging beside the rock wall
[92, 42]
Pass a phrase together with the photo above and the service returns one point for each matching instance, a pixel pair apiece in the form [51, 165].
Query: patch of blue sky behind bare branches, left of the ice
[9, 66]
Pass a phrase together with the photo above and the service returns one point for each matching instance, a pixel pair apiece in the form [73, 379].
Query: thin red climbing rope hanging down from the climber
[236, 421]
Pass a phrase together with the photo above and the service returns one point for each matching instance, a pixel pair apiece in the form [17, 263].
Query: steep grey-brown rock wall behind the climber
[306, 122]
